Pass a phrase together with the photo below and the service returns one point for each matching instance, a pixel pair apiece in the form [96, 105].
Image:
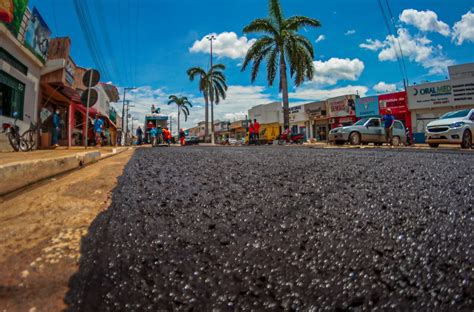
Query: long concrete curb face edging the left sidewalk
[16, 175]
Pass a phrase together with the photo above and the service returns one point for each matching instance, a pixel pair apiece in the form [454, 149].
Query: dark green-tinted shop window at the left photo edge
[12, 96]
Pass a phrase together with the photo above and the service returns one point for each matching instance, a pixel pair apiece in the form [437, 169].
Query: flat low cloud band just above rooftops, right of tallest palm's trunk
[313, 93]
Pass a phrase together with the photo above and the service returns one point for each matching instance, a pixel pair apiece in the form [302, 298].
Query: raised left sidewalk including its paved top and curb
[19, 169]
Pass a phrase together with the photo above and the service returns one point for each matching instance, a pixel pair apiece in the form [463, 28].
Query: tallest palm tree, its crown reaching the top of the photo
[281, 46]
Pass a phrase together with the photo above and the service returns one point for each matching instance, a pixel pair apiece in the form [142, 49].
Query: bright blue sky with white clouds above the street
[154, 42]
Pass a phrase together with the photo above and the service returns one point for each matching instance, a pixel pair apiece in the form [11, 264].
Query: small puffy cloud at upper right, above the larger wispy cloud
[425, 21]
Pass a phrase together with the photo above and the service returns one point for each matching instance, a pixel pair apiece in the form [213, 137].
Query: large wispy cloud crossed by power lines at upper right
[417, 49]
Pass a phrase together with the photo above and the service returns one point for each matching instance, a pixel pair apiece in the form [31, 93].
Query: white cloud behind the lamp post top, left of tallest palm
[227, 44]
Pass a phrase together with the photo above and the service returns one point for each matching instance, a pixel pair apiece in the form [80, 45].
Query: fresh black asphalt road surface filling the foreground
[281, 228]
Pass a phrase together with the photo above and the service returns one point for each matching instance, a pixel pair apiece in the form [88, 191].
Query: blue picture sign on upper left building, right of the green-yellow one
[37, 35]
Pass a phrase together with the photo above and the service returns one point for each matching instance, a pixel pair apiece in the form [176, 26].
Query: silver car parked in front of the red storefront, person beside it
[368, 130]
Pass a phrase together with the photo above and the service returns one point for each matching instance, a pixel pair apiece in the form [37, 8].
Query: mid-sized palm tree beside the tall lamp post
[212, 80]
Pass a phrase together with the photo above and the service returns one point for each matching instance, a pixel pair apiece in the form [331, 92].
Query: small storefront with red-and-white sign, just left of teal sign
[342, 110]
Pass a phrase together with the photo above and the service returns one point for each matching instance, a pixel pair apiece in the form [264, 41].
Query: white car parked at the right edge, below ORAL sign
[452, 128]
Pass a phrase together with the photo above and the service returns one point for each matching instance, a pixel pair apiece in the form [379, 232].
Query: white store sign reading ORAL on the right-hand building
[442, 94]
